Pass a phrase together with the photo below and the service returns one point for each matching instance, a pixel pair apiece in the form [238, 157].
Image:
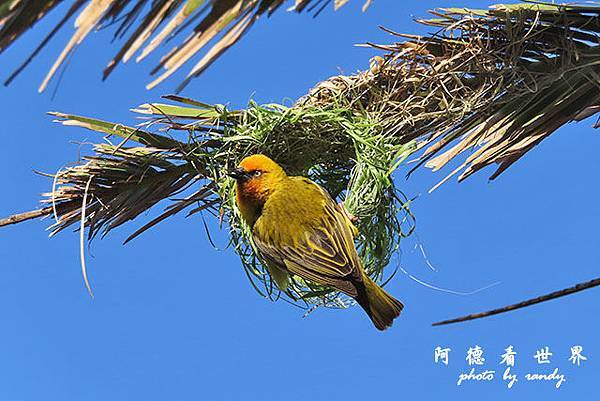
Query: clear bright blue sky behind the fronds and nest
[175, 319]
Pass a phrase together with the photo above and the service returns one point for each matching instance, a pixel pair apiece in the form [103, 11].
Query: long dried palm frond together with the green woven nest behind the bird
[495, 82]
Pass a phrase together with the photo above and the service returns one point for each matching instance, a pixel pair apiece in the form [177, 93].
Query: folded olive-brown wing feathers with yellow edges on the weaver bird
[323, 254]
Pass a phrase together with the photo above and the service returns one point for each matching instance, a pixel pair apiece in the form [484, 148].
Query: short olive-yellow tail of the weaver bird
[381, 307]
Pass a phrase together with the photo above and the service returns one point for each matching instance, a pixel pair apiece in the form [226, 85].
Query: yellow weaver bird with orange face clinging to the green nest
[299, 229]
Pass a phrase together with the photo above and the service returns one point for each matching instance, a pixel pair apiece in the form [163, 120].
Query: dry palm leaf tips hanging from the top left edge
[221, 22]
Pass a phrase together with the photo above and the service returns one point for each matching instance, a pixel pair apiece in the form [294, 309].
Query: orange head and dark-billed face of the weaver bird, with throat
[257, 177]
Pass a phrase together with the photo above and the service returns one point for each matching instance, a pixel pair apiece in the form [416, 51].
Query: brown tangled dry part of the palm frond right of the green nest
[492, 82]
